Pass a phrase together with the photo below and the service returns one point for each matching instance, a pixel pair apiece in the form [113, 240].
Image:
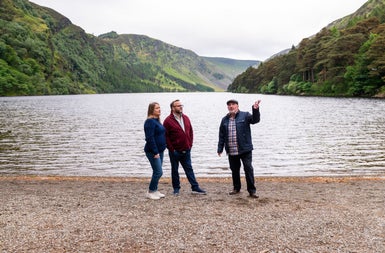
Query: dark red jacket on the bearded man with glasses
[176, 138]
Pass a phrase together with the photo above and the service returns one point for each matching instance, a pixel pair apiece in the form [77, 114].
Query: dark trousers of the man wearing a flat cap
[235, 166]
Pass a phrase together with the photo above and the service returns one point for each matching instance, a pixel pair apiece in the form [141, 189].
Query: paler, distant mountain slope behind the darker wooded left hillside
[179, 62]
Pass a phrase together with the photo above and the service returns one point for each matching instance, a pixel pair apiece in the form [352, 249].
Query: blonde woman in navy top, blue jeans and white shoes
[154, 147]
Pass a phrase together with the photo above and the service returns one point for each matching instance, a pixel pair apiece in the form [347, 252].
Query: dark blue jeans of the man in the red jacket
[184, 158]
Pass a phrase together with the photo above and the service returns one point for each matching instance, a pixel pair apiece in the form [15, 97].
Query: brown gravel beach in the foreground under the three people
[92, 214]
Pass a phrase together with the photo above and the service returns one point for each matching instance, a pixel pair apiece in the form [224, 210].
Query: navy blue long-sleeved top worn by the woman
[155, 136]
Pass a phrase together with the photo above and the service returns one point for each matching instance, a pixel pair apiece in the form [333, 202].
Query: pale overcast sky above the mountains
[238, 29]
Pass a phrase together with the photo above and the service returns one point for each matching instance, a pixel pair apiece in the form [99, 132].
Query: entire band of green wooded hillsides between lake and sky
[43, 53]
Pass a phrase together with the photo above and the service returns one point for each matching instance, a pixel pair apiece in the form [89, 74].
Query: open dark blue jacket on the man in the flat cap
[242, 122]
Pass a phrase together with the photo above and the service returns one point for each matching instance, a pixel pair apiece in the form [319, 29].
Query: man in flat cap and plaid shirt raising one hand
[235, 137]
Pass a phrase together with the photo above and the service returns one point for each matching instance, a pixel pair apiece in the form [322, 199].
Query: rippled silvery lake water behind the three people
[102, 135]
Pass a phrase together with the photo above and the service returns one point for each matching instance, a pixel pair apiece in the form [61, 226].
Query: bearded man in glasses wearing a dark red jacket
[179, 138]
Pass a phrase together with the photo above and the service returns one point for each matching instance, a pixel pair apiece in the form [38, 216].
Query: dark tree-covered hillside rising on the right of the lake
[346, 58]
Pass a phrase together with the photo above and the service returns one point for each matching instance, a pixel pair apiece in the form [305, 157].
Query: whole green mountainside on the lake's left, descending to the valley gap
[43, 53]
